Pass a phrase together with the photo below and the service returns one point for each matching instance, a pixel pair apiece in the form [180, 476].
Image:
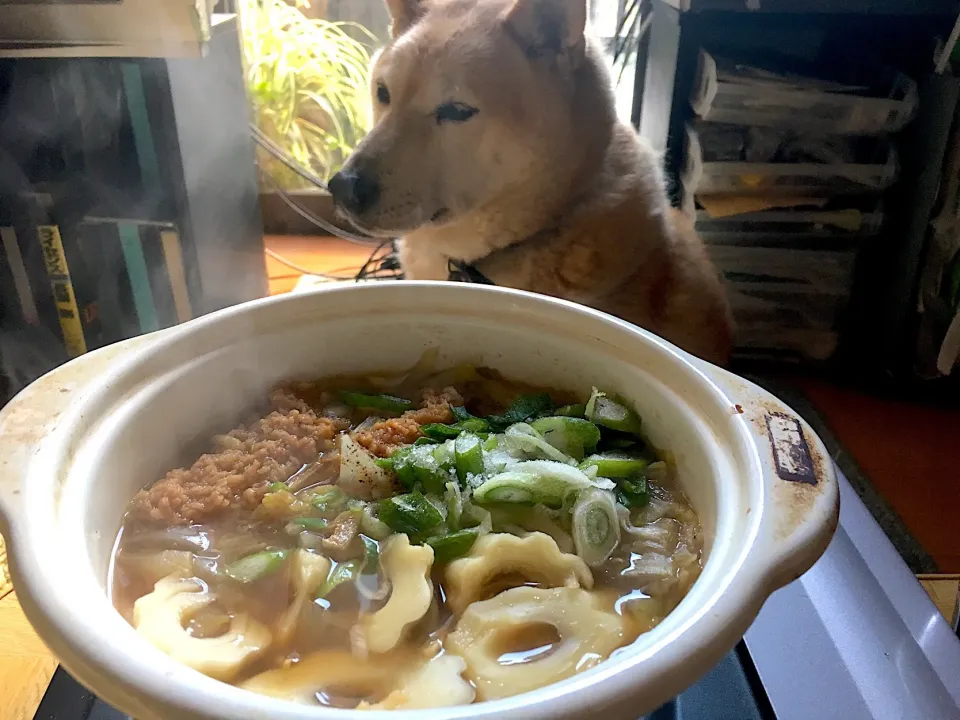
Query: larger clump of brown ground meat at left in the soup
[238, 474]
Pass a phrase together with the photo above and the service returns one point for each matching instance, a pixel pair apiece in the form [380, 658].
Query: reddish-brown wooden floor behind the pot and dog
[911, 453]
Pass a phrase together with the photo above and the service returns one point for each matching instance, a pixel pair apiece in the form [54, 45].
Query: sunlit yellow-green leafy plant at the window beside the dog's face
[307, 81]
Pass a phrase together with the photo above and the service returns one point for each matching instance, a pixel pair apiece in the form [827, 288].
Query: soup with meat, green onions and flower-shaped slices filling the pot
[431, 539]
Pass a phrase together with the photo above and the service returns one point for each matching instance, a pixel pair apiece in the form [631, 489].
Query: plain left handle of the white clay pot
[33, 414]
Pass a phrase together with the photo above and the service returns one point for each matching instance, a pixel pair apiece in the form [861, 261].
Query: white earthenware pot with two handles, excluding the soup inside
[78, 443]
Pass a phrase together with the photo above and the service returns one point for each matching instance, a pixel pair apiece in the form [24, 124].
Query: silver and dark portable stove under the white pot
[855, 638]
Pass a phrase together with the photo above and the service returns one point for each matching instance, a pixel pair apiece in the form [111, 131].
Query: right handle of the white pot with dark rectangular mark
[801, 490]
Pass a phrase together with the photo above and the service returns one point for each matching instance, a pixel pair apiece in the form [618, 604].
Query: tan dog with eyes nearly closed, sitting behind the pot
[496, 143]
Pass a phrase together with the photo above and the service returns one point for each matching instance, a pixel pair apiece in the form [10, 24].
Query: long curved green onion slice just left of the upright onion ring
[534, 481]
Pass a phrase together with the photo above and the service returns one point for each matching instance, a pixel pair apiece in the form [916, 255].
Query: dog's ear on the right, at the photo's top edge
[549, 27]
